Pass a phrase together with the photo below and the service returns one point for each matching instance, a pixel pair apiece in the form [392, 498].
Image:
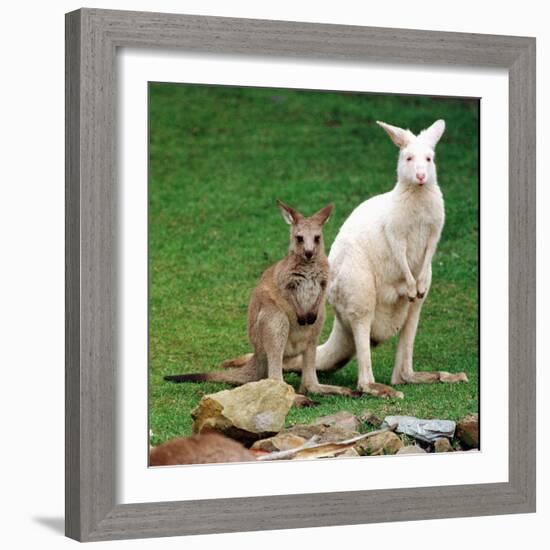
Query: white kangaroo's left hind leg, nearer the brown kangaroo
[365, 377]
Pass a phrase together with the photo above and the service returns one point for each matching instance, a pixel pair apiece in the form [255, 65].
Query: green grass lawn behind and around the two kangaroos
[219, 157]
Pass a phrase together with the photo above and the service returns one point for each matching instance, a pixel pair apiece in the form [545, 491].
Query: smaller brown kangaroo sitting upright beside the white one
[286, 312]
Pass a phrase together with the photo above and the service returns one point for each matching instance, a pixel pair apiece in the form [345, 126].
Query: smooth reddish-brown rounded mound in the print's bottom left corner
[199, 449]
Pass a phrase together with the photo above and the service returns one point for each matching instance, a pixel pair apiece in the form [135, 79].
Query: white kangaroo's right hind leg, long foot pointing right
[403, 372]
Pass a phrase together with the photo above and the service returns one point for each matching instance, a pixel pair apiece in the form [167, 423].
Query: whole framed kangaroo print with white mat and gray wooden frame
[278, 217]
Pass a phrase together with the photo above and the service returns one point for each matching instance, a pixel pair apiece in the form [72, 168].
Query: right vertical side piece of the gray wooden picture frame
[522, 273]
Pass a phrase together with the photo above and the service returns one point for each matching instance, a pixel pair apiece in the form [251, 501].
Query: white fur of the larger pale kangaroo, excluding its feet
[381, 261]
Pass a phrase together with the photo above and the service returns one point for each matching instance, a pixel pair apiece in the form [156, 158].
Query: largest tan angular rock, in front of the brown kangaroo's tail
[250, 412]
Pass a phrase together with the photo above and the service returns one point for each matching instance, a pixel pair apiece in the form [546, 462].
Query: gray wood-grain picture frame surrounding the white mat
[92, 39]
